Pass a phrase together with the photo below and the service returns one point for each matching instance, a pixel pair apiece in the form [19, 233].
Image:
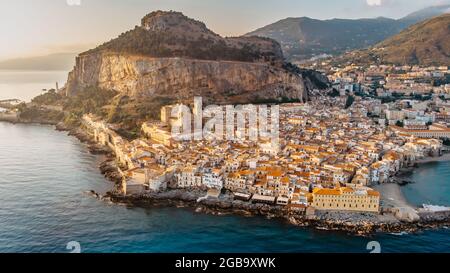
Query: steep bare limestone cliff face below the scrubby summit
[181, 78]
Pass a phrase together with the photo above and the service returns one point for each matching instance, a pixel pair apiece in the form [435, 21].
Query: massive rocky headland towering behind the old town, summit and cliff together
[172, 57]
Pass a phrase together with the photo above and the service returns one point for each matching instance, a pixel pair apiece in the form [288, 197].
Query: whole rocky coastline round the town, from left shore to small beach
[387, 221]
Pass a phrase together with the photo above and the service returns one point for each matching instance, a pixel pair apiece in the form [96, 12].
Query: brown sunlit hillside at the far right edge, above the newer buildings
[426, 43]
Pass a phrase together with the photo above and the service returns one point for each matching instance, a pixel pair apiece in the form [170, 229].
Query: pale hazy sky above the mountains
[41, 27]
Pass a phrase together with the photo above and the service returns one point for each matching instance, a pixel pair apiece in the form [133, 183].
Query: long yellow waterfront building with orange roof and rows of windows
[347, 199]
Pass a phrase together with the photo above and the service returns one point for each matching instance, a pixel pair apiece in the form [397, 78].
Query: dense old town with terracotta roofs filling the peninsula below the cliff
[328, 157]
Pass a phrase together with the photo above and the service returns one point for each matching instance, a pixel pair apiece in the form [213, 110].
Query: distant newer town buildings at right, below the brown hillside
[396, 94]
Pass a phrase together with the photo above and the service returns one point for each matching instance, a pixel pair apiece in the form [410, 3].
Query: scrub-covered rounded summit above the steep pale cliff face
[171, 34]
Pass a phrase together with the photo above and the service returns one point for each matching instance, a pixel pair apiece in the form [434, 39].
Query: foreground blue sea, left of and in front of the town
[44, 175]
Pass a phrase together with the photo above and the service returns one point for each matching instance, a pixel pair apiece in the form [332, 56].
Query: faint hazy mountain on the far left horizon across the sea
[59, 61]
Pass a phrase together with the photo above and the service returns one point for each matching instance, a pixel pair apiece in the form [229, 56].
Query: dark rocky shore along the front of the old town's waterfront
[355, 223]
